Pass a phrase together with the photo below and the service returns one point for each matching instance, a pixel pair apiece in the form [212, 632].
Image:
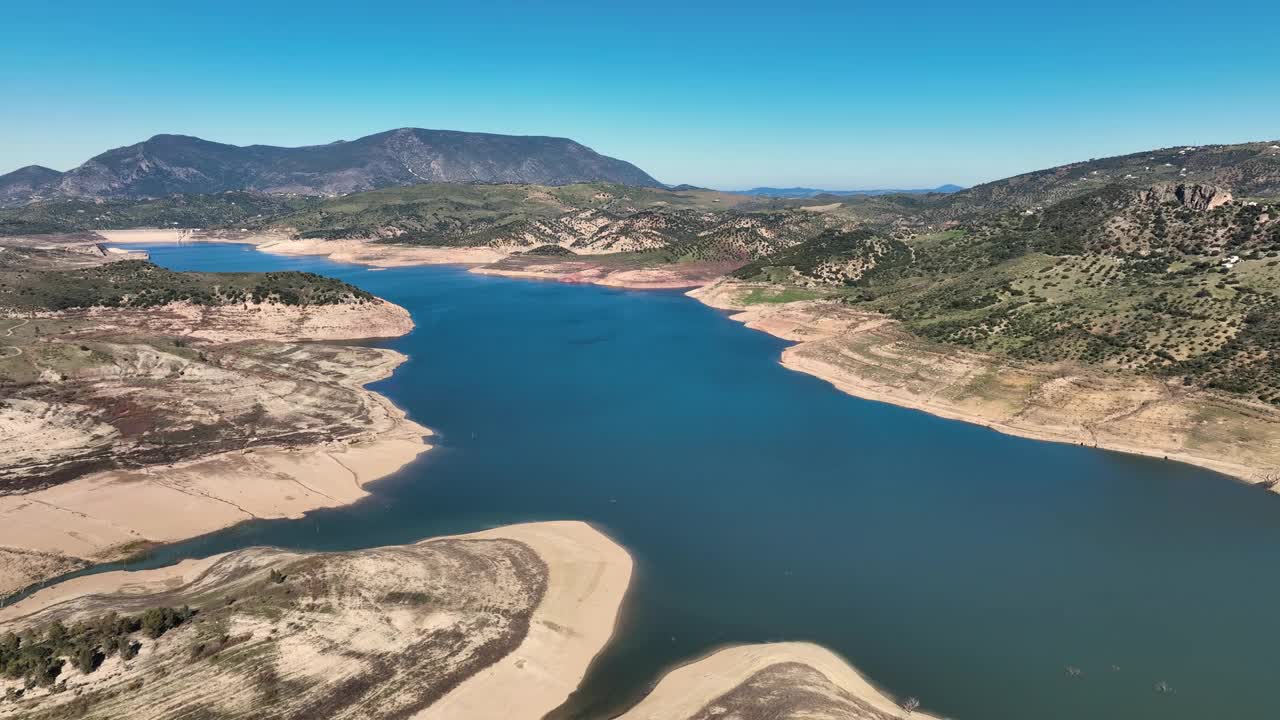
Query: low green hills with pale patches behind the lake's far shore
[591, 220]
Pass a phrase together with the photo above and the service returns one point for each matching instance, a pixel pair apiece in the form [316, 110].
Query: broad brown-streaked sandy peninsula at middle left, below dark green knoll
[129, 427]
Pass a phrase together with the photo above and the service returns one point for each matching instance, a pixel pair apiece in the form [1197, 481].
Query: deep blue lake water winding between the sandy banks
[945, 560]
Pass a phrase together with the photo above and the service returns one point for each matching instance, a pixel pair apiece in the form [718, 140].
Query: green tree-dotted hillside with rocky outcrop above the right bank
[1176, 280]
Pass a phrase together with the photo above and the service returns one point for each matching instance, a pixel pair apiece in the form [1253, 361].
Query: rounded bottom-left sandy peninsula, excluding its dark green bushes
[496, 625]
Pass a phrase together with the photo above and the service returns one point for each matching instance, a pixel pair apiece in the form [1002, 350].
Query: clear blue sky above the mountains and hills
[839, 95]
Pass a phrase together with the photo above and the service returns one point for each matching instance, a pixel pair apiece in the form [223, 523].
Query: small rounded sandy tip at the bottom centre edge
[775, 682]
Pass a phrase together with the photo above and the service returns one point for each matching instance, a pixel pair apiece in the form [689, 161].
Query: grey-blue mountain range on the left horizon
[170, 165]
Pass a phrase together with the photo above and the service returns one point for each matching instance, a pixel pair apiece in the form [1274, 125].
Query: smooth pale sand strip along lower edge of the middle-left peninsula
[106, 516]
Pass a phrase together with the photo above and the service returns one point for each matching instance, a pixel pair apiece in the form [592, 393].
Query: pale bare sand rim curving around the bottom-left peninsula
[588, 577]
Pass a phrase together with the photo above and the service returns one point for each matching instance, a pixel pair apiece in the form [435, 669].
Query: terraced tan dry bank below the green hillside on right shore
[871, 357]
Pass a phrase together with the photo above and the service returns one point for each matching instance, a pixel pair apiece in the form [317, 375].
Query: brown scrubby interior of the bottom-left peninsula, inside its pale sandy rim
[262, 634]
